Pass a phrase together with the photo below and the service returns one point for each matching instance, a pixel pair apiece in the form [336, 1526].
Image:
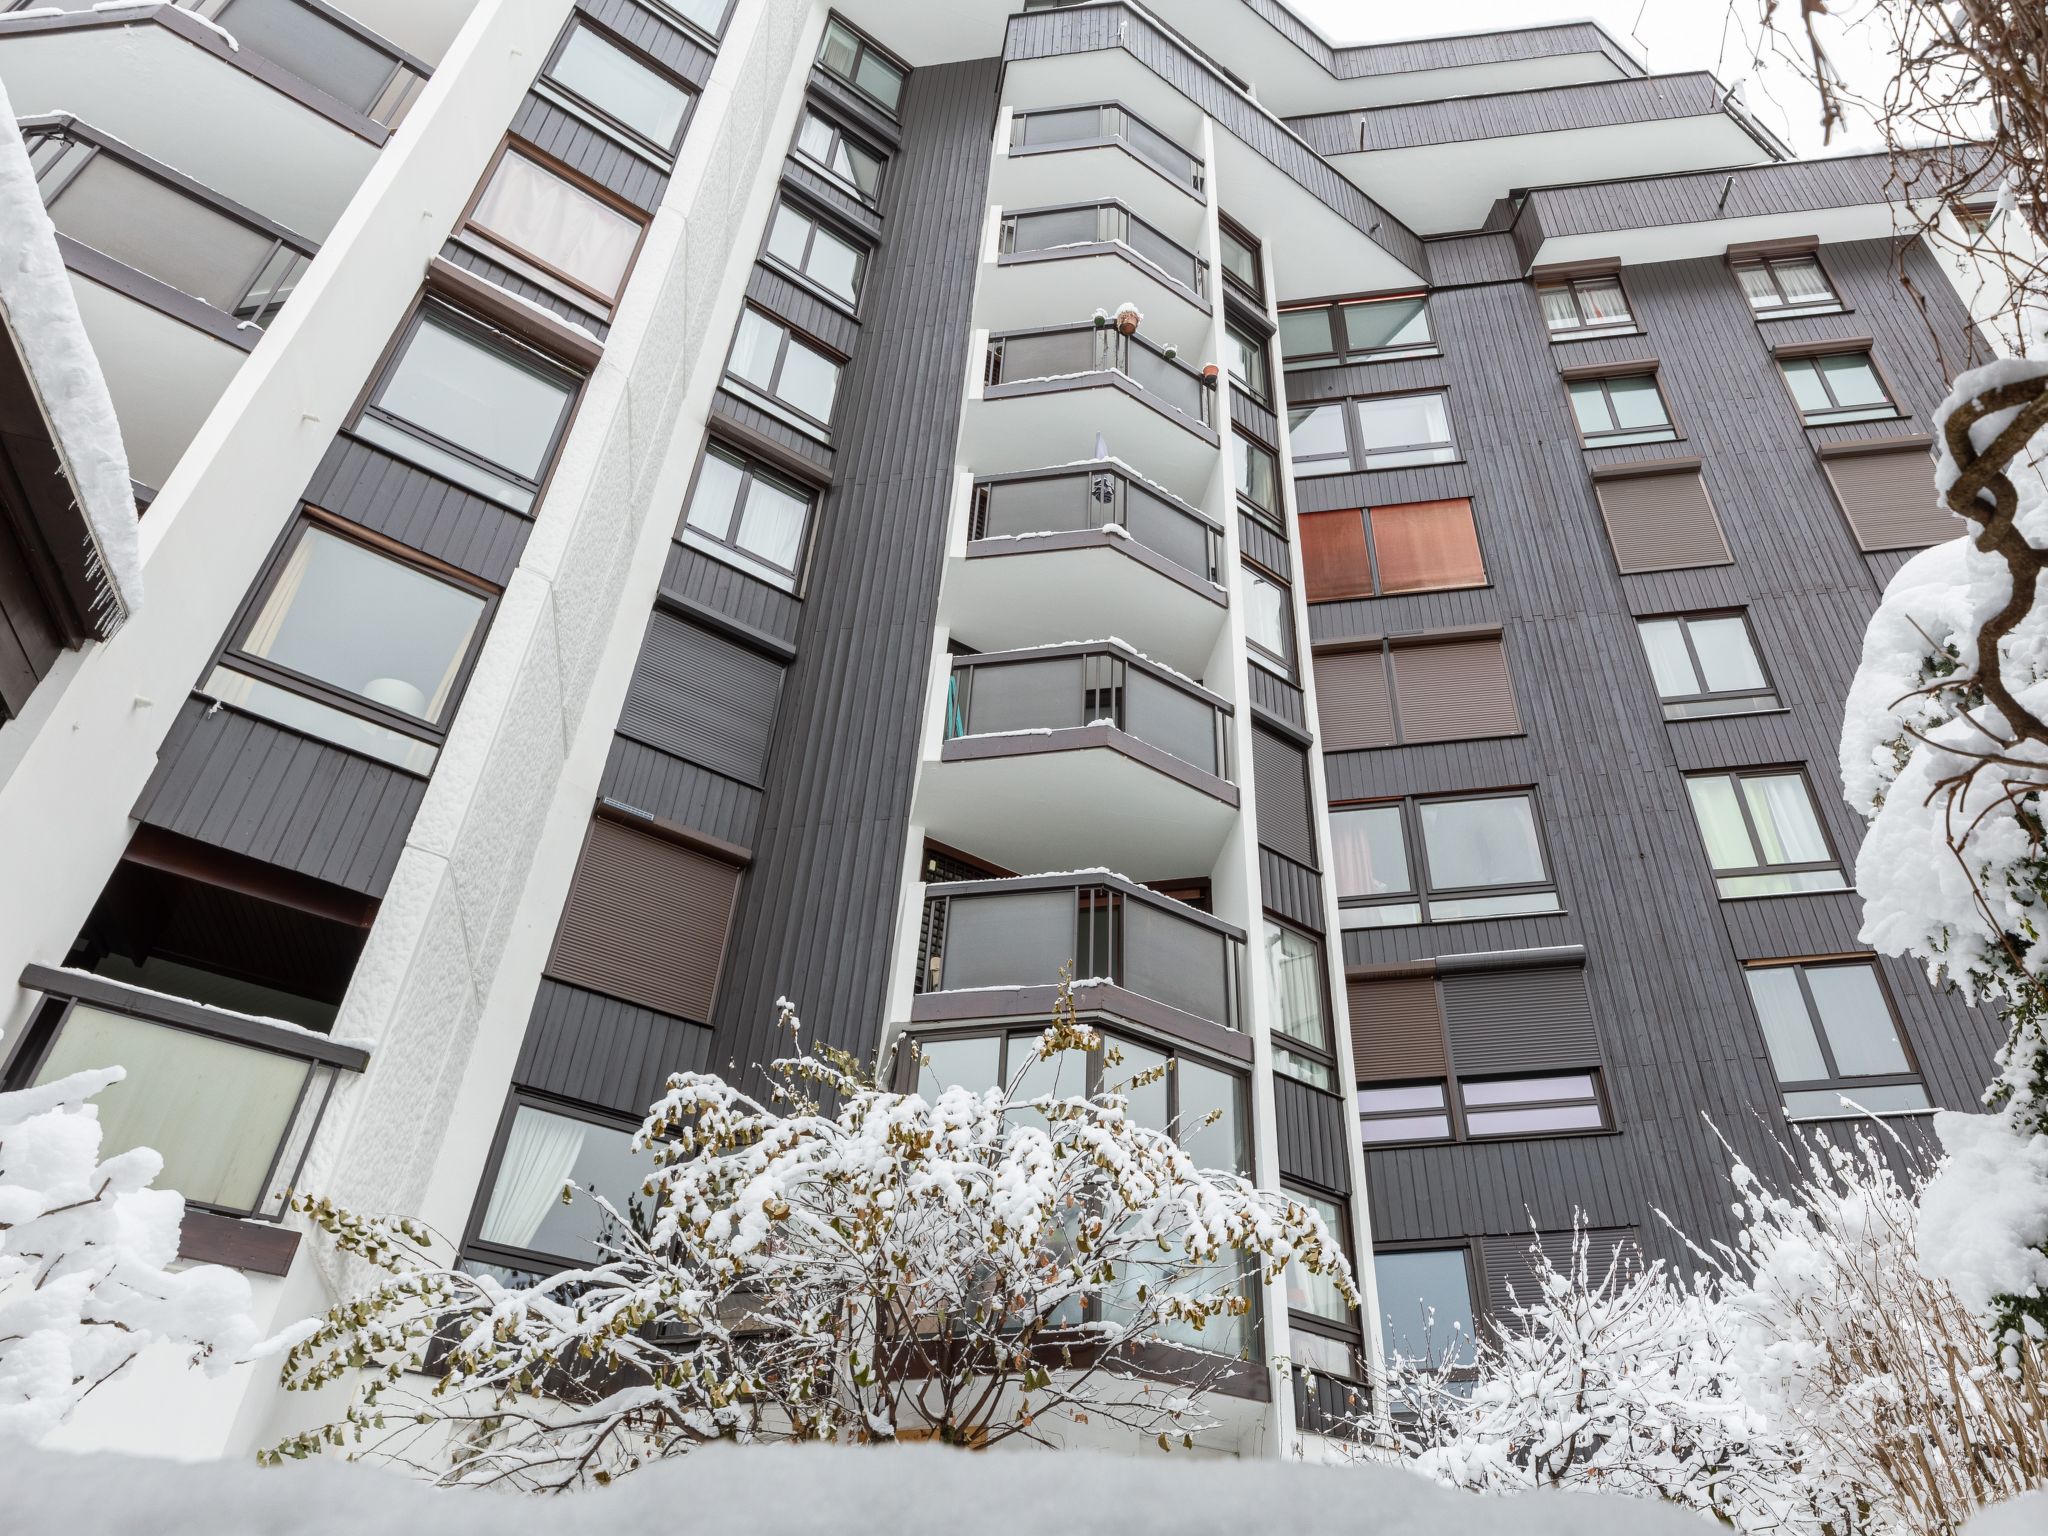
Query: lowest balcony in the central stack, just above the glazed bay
[994, 949]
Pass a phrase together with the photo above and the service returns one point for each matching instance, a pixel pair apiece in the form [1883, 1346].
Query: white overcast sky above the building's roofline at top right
[1668, 36]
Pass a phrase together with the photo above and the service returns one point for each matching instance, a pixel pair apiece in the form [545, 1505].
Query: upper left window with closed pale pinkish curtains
[531, 212]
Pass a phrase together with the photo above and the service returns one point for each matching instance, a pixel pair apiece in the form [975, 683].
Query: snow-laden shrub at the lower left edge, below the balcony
[85, 1252]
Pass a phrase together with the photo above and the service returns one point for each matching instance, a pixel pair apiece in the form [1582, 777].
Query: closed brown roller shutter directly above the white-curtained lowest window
[646, 921]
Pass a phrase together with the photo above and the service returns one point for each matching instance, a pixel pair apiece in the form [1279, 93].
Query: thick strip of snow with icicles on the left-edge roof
[40, 314]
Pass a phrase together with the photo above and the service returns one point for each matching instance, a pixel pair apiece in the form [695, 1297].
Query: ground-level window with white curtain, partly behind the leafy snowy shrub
[527, 1226]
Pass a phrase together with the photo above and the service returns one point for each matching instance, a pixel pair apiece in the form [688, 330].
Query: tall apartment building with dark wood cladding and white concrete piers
[663, 505]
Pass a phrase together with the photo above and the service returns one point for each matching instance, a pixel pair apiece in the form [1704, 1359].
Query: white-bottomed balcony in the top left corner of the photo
[284, 122]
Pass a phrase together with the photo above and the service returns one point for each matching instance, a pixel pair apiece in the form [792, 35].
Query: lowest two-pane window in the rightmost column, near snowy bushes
[1832, 1035]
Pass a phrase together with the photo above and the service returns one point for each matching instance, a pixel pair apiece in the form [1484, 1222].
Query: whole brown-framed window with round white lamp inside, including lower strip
[353, 648]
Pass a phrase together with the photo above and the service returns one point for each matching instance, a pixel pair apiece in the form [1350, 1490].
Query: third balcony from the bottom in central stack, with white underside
[1052, 552]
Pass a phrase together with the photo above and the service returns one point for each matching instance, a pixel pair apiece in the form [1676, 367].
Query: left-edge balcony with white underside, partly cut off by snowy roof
[173, 280]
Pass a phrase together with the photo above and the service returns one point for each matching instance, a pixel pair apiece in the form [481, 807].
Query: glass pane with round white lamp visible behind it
[366, 624]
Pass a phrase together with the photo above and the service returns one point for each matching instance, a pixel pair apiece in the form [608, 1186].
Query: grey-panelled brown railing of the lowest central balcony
[1021, 933]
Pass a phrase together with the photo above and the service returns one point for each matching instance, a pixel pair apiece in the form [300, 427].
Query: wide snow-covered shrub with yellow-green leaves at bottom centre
[837, 1265]
